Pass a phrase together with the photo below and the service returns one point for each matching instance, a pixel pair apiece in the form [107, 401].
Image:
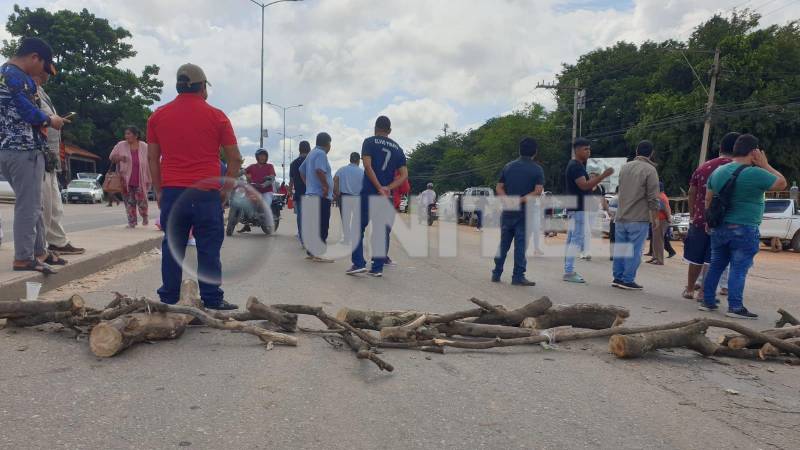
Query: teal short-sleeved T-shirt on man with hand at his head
[747, 202]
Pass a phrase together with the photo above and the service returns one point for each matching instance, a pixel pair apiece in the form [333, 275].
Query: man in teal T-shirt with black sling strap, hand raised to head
[736, 241]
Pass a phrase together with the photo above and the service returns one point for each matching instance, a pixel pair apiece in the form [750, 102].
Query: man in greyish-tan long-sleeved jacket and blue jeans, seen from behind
[638, 203]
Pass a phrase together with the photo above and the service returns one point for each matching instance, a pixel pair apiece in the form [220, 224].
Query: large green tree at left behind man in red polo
[87, 53]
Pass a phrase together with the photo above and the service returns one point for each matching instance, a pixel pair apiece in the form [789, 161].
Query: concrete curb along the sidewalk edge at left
[15, 289]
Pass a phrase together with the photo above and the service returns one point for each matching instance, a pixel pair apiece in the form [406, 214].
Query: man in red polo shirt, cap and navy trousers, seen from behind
[184, 137]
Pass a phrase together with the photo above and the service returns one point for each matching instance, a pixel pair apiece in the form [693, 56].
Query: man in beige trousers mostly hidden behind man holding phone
[53, 207]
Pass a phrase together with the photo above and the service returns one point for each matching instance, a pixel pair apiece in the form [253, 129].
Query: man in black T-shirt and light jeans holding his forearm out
[578, 185]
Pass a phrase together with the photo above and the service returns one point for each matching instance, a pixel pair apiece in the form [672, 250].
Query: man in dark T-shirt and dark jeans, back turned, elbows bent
[521, 178]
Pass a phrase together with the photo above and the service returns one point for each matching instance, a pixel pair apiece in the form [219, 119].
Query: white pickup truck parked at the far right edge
[780, 228]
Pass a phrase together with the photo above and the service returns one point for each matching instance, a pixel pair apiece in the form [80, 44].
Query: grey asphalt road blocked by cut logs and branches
[211, 389]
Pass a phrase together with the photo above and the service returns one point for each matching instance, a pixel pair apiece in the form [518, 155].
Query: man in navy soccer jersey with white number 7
[382, 157]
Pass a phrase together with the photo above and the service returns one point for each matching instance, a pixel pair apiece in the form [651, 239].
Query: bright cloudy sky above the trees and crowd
[423, 63]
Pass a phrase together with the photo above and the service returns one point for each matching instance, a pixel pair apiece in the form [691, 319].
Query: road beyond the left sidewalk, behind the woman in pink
[77, 217]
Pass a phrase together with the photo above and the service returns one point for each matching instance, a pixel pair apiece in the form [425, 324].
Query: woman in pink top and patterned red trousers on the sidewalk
[130, 156]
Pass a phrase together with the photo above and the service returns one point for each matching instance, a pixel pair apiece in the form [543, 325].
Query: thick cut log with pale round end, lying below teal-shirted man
[635, 346]
